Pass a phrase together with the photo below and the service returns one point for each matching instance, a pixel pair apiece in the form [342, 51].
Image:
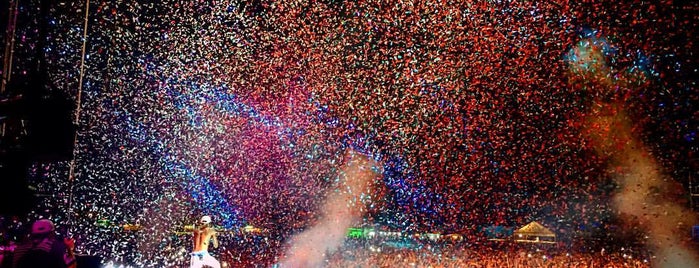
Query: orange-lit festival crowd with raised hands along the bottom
[462, 255]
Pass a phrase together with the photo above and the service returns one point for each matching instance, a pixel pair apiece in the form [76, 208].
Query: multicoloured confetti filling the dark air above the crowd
[480, 114]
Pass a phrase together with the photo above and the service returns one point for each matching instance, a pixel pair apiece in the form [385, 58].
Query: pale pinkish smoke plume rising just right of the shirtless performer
[342, 209]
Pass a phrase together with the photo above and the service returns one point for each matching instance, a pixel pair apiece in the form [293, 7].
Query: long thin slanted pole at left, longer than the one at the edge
[71, 173]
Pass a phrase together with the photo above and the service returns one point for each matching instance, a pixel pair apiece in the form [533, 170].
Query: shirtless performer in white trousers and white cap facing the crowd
[201, 235]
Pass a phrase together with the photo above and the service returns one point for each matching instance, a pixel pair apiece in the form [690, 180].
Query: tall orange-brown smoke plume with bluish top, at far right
[647, 196]
